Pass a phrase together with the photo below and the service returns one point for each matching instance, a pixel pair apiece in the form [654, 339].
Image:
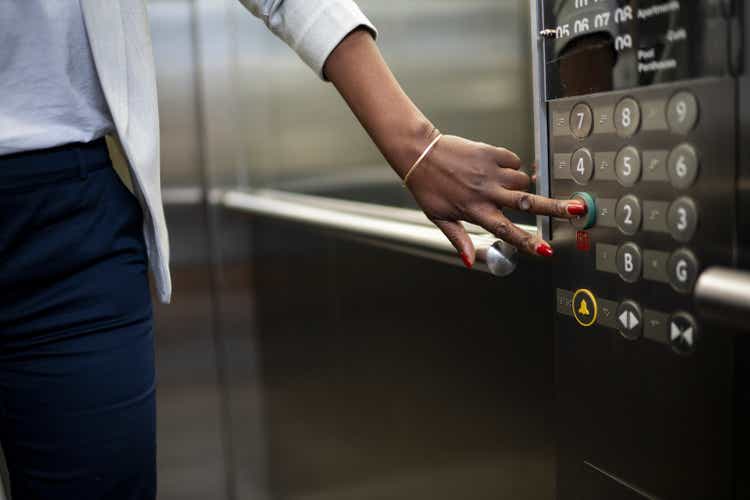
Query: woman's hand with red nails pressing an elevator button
[462, 180]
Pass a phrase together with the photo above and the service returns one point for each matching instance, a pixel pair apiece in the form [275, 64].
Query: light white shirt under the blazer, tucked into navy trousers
[49, 90]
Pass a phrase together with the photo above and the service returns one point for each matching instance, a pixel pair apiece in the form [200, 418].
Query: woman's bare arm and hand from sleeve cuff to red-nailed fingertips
[460, 179]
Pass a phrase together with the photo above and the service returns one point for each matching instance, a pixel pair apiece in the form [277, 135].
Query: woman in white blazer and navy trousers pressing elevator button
[77, 418]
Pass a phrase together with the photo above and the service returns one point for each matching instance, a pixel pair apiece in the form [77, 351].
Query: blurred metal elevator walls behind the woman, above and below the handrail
[296, 363]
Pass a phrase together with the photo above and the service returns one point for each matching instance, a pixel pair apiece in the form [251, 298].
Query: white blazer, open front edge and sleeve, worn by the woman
[121, 45]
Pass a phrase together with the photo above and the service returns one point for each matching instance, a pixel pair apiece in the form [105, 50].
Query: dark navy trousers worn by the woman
[77, 397]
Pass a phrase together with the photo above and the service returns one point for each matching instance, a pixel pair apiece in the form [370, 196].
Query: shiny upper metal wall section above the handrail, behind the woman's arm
[463, 61]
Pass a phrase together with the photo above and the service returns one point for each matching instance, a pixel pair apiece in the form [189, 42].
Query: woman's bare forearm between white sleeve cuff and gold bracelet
[363, 78]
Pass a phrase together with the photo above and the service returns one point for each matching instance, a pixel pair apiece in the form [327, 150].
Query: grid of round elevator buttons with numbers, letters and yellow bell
[653, 162]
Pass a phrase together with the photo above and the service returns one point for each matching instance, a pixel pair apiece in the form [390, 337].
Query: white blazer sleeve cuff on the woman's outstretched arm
[313, 28]
